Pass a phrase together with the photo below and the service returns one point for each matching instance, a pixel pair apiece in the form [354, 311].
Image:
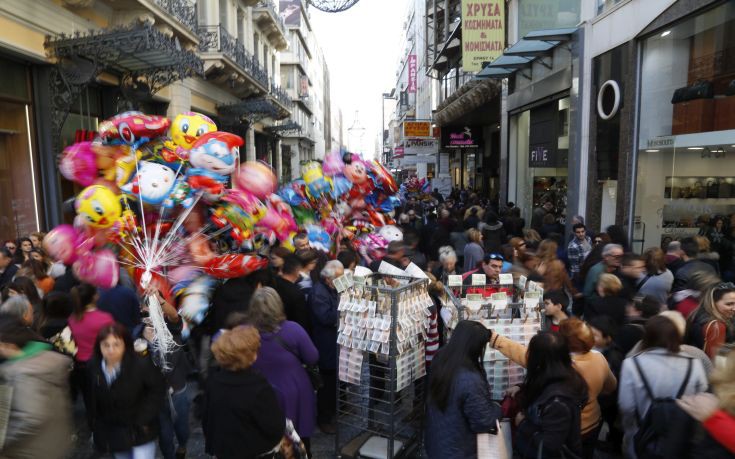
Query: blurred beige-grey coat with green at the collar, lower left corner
[40, 422]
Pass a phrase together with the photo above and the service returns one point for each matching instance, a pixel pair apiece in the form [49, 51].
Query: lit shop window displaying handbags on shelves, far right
[686, 134]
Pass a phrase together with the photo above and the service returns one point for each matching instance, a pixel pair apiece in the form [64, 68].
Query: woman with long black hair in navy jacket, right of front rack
[459, 403]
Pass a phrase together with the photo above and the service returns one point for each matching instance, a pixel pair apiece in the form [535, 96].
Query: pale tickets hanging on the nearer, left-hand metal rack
[367, 323]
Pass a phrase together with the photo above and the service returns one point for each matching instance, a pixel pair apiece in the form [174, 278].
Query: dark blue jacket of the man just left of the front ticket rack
[323, 303]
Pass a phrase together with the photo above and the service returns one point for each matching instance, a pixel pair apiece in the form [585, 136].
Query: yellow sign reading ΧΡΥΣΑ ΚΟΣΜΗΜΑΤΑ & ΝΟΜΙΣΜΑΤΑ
[483, 32]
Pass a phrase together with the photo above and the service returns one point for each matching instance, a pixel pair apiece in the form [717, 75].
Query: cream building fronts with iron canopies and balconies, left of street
[73, 63]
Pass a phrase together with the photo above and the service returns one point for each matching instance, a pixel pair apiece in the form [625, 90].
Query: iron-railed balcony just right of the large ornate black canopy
[220, 50]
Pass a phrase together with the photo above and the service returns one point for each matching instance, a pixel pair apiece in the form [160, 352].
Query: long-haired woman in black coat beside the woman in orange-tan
[552, 397]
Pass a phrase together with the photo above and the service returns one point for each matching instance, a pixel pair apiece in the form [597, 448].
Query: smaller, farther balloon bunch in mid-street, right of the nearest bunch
[343, 198]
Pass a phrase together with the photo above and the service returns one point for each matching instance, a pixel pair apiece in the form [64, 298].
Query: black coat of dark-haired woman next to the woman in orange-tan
[552, 424]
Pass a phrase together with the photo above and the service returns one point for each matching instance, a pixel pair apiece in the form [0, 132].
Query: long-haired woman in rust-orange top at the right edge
[712, 324]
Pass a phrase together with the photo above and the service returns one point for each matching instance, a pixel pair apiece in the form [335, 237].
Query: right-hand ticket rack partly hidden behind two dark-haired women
[508, 309]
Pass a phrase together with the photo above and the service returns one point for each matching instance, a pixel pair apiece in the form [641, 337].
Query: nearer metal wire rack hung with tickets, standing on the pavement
[382, 366]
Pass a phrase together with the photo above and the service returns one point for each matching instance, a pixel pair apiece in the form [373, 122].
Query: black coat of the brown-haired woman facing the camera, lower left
[125, 413]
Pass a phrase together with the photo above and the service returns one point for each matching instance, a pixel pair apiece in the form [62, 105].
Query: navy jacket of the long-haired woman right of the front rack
[452, 434]
